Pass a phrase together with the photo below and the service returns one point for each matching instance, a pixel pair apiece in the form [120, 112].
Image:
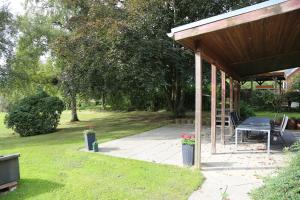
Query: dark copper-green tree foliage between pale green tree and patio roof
[120, 48]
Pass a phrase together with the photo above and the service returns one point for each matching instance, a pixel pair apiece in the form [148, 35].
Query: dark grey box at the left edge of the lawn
[9, 169]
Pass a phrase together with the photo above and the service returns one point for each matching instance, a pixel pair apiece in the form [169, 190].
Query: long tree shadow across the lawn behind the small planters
[112, 127]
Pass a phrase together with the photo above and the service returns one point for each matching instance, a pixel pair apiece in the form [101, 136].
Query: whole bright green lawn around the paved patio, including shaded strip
[52, 167]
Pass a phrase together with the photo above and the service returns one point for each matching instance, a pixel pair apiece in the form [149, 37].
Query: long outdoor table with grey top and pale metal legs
[259, 124]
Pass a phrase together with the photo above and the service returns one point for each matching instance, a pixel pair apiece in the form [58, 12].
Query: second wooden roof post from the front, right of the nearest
[213, 107]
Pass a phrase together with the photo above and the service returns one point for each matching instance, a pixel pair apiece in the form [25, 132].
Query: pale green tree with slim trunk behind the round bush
[36, 65]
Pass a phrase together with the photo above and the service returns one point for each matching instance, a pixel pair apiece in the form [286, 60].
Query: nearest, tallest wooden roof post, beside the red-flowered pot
[198, 109]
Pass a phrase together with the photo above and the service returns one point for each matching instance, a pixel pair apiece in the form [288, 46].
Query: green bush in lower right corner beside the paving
[286, 185]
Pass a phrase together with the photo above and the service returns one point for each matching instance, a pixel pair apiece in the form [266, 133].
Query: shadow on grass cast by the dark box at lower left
[29, 188]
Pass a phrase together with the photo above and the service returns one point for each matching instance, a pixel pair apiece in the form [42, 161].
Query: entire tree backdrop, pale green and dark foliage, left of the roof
[116, 52]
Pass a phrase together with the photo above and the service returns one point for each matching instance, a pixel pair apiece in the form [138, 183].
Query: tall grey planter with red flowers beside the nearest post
[188, 149]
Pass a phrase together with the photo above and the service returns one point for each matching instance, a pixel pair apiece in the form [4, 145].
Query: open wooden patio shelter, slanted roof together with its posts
[257, 39]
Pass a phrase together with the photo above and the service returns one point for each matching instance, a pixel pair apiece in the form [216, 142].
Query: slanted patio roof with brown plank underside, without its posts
[253, 40]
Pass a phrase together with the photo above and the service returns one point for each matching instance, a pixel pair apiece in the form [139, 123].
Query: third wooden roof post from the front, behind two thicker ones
[223, 106]
